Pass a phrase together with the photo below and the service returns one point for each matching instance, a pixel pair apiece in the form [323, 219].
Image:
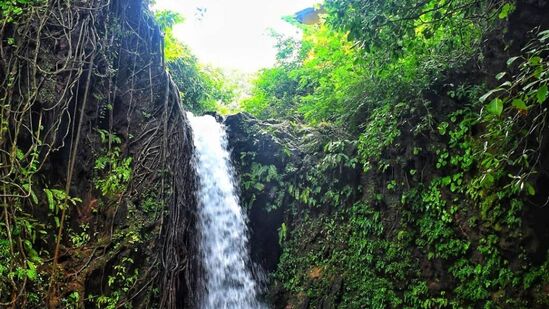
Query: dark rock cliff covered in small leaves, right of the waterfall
[436, 216]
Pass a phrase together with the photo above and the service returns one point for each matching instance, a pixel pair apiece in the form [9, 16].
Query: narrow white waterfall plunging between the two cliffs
[224, 235]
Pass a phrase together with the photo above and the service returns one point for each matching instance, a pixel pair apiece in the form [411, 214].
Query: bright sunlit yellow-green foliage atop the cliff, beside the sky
[312, 80]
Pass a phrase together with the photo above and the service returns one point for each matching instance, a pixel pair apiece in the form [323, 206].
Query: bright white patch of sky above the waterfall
[233, 34]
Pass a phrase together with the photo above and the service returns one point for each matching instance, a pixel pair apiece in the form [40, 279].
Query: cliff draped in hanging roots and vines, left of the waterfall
[97, 186]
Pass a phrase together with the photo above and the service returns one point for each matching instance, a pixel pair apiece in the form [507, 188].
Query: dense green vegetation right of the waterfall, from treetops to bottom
[421, 178]
